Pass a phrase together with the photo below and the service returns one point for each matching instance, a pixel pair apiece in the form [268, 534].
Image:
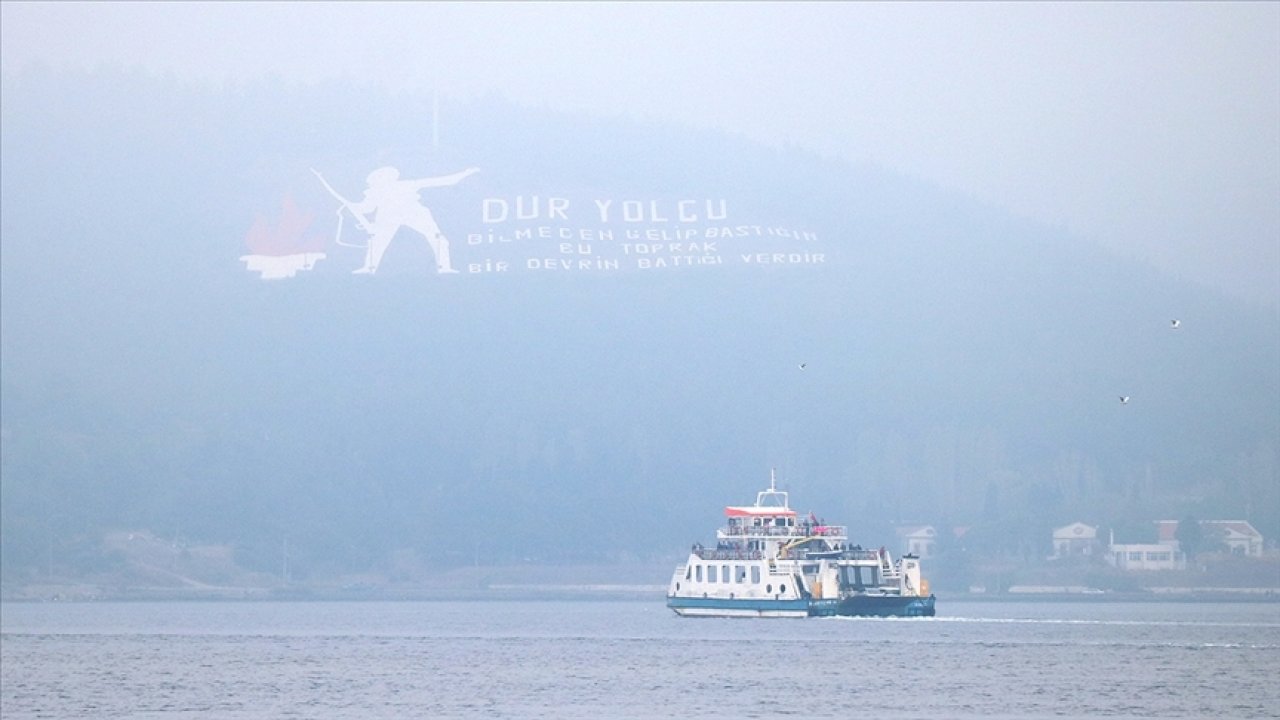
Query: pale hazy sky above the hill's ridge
[1150, 129]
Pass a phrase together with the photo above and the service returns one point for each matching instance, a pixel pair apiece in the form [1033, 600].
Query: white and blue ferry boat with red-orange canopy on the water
[769, 562]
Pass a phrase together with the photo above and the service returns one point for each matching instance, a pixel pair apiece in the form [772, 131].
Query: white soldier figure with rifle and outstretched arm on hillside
[395, 204]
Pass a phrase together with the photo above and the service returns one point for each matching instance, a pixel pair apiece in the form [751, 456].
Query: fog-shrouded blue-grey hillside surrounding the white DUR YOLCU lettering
[962, 366]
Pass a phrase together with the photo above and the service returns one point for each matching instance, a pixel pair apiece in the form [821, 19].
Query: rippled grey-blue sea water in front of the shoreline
[360, 660]
